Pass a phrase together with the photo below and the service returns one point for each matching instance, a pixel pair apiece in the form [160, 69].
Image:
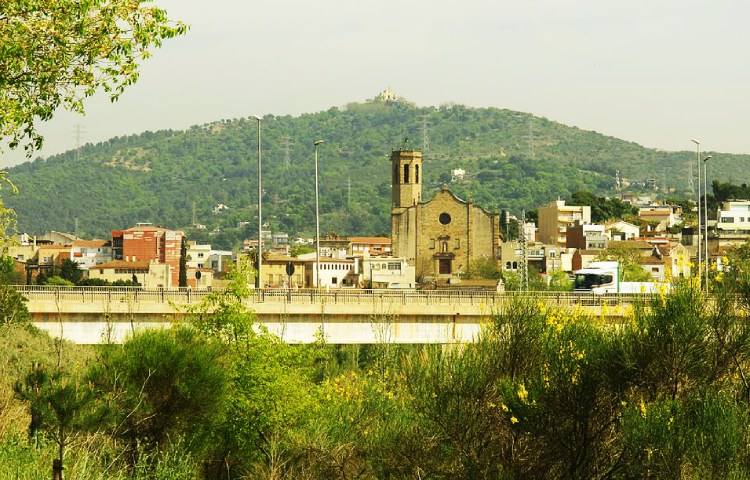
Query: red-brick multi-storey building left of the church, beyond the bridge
[147, 242]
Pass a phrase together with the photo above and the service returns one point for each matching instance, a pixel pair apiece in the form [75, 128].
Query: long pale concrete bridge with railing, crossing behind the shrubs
[91, 315]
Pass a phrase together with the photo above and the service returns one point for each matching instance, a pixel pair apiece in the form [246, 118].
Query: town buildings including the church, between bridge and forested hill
[435, 241]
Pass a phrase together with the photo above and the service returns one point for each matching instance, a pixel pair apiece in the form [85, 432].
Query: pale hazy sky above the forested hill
[655, 72]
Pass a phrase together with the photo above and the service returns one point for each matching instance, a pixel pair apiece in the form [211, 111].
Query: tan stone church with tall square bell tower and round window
[442, 236]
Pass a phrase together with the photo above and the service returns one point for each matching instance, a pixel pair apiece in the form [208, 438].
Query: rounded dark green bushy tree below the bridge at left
[164, 385]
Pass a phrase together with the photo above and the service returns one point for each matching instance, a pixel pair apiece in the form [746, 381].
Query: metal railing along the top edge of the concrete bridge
[316, 297]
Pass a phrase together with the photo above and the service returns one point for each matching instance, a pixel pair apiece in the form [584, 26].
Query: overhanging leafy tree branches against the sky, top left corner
[56, 53]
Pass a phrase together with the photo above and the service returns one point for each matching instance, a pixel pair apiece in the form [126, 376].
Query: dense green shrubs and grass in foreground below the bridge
[545, 393]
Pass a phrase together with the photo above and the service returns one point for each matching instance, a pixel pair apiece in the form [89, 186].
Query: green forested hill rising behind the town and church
[513, 161]
